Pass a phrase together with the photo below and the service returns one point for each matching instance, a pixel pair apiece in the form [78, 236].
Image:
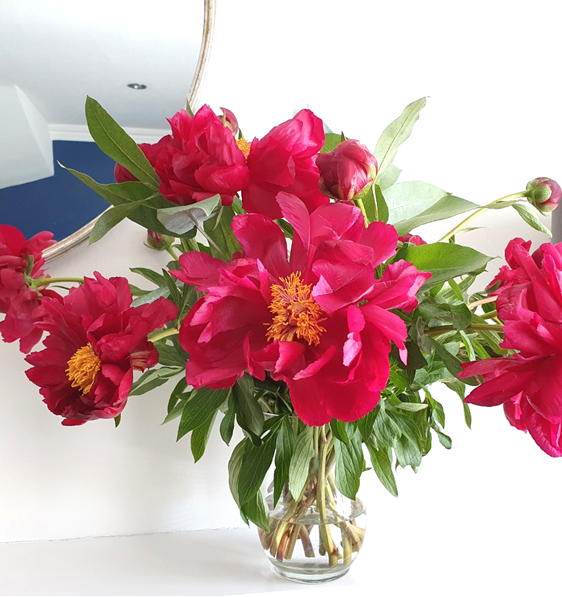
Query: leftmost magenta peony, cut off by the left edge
[23, 305]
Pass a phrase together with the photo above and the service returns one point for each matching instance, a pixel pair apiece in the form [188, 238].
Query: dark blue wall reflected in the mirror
[60, 203]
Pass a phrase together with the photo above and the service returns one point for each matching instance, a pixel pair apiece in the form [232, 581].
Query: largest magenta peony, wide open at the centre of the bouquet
[319, 321]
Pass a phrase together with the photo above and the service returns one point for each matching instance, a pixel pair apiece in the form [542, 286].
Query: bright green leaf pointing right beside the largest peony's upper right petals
[444, 261]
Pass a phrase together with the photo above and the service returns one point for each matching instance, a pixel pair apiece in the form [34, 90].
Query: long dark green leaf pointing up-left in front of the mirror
[117, 144]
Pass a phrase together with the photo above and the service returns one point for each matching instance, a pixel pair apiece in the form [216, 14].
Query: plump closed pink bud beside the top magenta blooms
[346, 170]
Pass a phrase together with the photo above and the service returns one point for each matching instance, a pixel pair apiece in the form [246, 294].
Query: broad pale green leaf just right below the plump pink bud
[408, 199]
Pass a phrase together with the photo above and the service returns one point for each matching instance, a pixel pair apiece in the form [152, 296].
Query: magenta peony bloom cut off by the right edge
[529, 383]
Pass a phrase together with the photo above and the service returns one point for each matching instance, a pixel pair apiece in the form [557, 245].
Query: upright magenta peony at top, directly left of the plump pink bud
[285, 160]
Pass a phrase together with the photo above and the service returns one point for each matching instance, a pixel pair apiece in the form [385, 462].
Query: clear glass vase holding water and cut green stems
[317, 537]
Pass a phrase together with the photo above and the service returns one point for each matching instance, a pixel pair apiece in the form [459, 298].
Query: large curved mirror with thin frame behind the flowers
[139, 61]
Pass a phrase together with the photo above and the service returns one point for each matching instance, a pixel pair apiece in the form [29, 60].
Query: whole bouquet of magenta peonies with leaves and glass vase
[299, 305]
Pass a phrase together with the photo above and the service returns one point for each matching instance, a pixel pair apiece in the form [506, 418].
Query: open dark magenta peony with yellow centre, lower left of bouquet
[95, 340]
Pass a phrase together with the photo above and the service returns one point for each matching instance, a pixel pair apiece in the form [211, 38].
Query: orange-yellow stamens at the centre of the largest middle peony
[296, 313]
